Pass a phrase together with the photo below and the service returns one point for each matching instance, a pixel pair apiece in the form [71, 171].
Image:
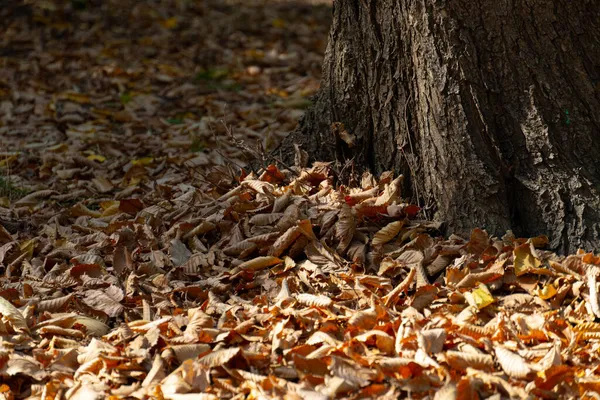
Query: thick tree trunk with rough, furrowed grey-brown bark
[490, 108]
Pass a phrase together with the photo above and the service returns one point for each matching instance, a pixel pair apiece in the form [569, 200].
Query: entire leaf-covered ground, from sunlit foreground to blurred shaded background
[138, 261]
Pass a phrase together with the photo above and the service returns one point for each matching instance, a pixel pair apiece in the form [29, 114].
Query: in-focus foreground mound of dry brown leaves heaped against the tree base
[286, 286]
